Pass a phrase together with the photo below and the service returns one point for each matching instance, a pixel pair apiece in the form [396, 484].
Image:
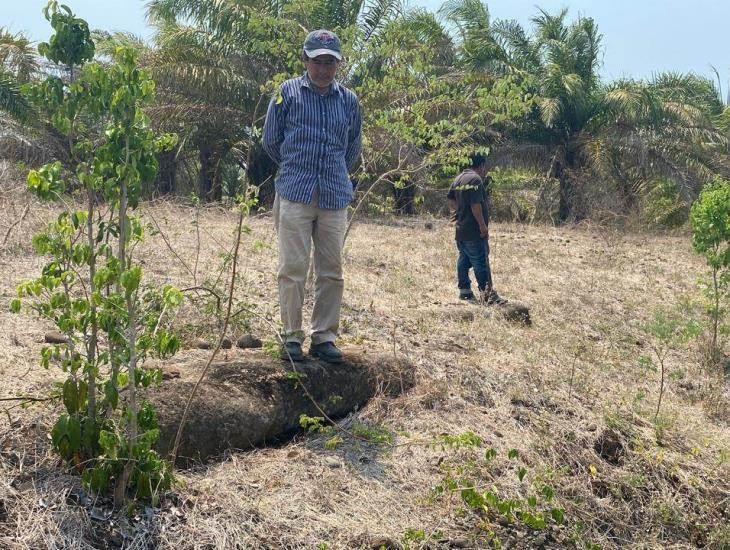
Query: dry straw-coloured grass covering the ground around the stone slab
[590, 290]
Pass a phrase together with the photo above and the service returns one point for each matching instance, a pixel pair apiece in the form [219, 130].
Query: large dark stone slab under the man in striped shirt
[252, 399]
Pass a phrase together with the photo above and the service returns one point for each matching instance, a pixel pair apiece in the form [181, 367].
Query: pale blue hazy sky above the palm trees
[640, 37]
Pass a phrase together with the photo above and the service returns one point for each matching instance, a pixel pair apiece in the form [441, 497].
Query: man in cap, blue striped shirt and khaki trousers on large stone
[312, 131]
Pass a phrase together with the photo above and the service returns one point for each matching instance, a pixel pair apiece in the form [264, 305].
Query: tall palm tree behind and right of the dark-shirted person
[636, 128]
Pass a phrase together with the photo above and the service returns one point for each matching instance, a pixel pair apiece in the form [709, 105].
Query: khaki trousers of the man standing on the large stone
[298, 226]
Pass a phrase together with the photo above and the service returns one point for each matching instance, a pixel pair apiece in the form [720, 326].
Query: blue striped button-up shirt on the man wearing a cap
[315, 139]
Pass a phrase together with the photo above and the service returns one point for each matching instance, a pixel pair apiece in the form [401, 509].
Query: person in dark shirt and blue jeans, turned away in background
[468, 201]
